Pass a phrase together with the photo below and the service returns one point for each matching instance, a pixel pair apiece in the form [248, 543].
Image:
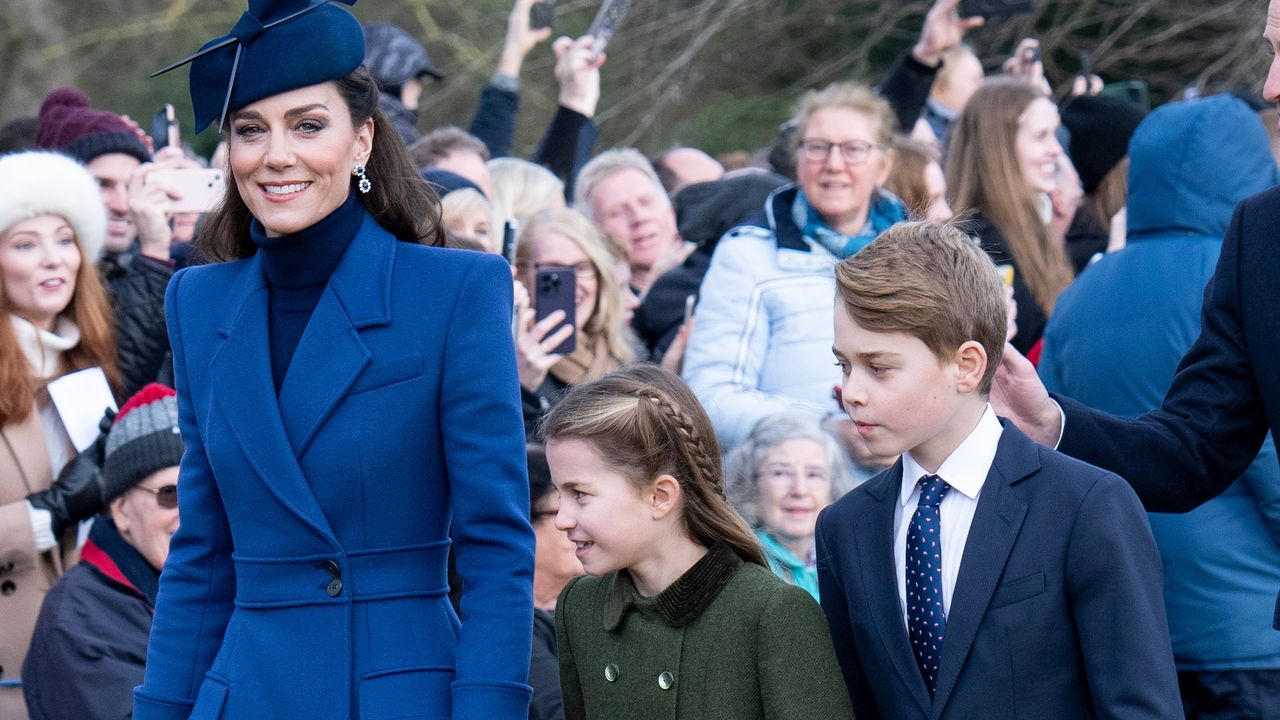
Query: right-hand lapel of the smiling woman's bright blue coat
[331, 356]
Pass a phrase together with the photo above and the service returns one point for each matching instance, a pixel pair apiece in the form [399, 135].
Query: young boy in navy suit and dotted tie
[982, 576]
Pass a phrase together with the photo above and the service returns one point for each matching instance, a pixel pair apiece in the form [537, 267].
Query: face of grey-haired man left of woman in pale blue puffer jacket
[636, 211]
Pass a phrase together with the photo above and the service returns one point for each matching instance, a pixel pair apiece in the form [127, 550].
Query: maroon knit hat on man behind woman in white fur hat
[70, 125]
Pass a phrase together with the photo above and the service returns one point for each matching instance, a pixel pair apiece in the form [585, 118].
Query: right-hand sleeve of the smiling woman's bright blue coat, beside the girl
[484, 452]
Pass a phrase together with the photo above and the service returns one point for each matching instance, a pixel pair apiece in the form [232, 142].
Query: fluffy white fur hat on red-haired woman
[48, 184]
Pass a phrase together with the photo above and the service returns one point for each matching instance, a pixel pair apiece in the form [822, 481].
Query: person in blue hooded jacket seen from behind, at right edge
[1114, 343]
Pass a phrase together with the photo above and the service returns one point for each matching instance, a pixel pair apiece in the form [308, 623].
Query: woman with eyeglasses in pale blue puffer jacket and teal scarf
[764, 332]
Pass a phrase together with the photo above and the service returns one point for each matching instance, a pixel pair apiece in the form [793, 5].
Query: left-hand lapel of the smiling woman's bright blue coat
[243, 388]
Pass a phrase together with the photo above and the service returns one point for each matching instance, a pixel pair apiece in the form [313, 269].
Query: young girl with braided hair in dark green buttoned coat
[679, 617]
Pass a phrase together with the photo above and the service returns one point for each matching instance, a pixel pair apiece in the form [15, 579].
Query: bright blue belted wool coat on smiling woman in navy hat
[309, 576]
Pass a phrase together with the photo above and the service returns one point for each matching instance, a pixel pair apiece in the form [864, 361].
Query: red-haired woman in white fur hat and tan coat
[60, 321]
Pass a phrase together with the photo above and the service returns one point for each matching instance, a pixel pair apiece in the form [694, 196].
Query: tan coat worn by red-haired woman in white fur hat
[25, 575]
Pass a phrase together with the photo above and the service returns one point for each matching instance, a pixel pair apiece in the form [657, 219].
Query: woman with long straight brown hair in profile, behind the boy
[1003, 163]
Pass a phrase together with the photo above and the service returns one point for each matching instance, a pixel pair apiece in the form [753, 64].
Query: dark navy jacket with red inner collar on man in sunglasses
[90, 645]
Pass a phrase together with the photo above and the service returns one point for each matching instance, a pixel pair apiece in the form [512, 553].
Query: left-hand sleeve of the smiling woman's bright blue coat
[198, 586]
